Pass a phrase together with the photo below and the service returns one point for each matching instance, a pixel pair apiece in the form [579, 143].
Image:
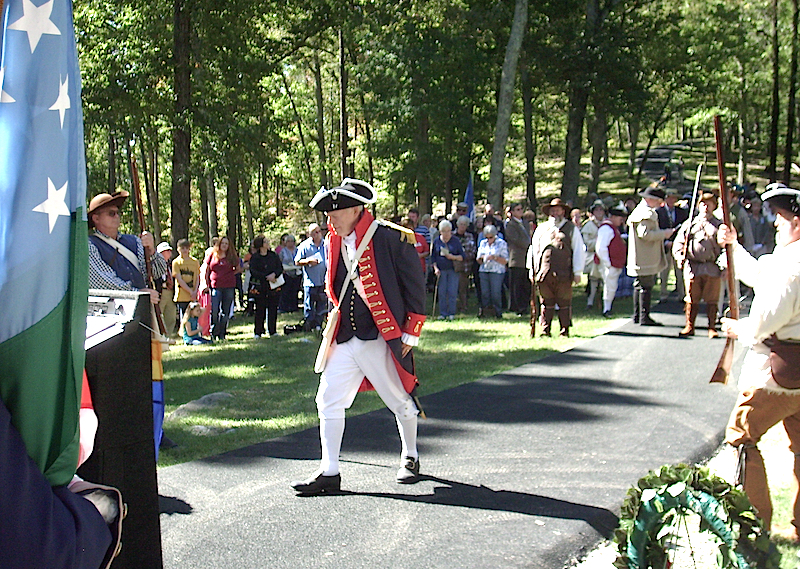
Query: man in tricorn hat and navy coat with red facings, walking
[378, 294]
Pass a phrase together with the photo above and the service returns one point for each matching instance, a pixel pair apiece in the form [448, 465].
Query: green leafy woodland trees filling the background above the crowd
[238, 111]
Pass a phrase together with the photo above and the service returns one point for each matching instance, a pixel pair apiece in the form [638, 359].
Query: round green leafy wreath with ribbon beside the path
[643, 534]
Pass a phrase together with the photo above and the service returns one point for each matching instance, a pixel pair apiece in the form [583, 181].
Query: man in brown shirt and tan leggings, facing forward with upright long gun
[696, 242]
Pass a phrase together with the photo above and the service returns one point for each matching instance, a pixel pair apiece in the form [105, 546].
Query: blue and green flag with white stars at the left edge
[43, 239]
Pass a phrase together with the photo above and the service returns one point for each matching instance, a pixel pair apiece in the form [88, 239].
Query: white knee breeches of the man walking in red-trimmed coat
[346, 368]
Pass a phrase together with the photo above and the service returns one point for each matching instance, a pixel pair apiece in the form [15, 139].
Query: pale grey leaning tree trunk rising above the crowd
[505, 102]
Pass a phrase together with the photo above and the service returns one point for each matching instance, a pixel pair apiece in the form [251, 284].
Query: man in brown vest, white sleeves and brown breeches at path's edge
[555, 261]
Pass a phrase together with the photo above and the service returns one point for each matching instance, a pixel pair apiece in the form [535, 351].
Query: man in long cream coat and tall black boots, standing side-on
[646, 256]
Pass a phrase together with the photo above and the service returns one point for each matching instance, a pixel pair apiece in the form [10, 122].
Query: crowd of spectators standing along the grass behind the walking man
[488, 260]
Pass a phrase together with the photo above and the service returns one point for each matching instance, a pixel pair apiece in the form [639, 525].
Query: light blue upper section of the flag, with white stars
[42, 163]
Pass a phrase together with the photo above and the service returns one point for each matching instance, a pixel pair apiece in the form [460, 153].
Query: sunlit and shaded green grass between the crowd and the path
[273, 383]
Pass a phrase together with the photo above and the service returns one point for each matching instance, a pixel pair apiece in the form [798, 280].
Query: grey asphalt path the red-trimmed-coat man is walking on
[527, 468]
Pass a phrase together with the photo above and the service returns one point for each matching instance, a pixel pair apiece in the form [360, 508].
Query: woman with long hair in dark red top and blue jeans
[223, 266]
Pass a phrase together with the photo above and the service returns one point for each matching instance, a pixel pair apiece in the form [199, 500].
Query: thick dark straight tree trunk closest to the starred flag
[181, 133]
